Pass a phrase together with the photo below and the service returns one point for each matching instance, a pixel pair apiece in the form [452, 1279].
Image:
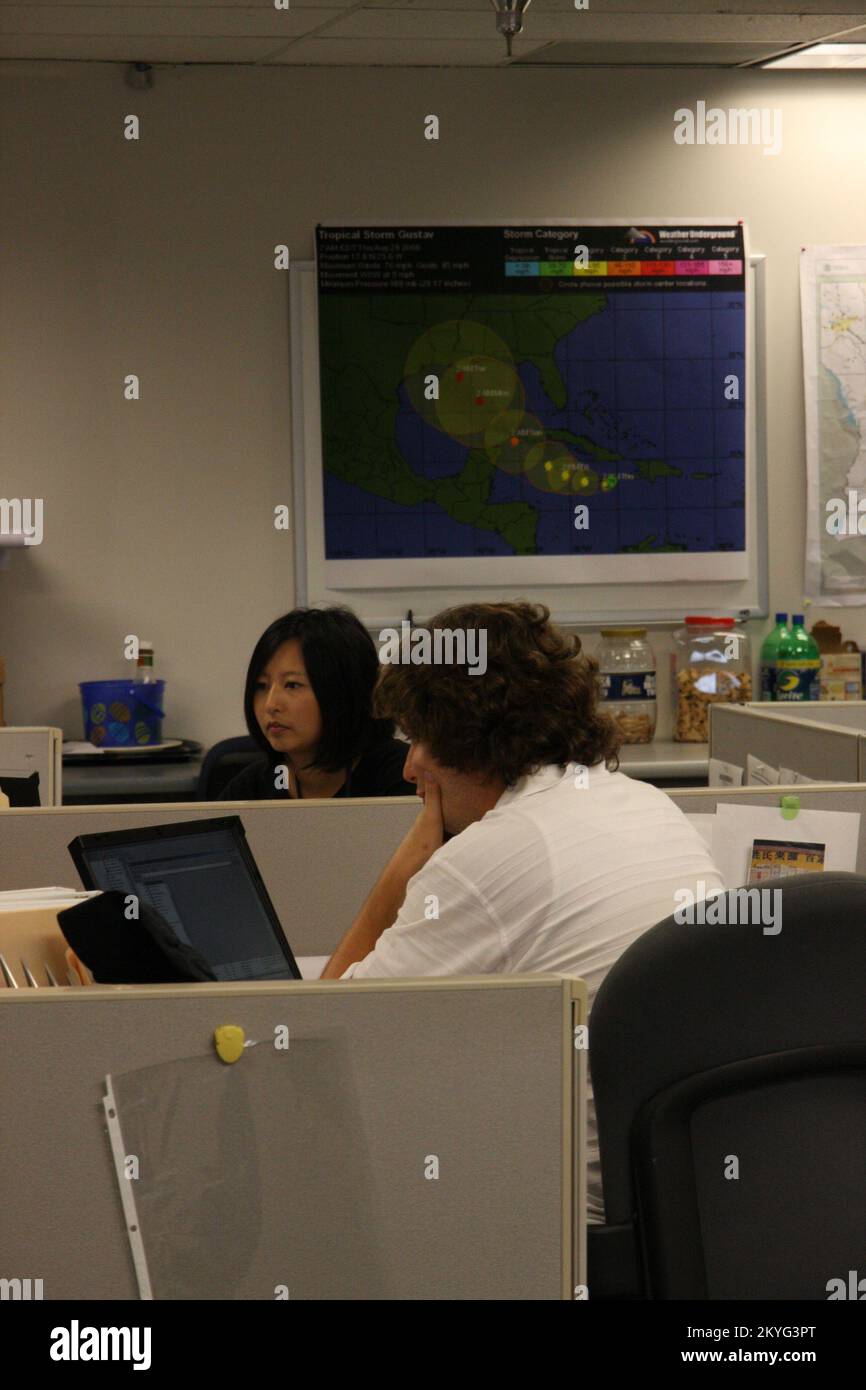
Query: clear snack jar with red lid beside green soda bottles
[711, 662]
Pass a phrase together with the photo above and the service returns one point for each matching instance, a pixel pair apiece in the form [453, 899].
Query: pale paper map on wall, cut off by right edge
[833, 304]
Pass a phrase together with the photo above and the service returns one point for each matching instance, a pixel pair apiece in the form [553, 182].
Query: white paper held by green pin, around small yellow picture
[736, 829]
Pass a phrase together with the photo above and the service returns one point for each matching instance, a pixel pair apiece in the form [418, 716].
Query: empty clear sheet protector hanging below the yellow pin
[252, 1177]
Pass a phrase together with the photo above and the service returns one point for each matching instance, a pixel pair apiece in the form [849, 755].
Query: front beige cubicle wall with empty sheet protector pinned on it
[375, 1140]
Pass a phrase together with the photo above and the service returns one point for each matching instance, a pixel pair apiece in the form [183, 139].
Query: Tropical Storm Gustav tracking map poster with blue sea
[487, 394]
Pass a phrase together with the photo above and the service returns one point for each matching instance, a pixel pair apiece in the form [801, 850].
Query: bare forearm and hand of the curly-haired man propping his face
[382, 908]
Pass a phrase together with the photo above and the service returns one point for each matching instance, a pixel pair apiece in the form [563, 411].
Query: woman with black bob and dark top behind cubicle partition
[308, 707]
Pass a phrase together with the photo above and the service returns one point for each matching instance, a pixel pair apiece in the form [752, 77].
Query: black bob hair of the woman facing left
[343, 665]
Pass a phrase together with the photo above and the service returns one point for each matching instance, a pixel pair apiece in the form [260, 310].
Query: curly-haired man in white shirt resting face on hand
[557, 861]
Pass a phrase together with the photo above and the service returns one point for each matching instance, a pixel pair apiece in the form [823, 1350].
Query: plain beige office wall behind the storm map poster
[156, 258]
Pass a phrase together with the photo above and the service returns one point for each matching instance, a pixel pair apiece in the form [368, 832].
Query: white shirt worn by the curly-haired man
[561, 876]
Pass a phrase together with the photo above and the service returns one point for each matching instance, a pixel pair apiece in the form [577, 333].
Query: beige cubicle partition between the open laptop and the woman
[319, 858]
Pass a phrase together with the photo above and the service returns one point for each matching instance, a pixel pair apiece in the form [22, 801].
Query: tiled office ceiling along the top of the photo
[719, 34]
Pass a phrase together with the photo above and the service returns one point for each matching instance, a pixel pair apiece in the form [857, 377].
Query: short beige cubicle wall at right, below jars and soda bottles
[817, 749]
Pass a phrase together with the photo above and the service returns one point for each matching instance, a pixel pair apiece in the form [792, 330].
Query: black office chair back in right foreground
[729, 1071]
